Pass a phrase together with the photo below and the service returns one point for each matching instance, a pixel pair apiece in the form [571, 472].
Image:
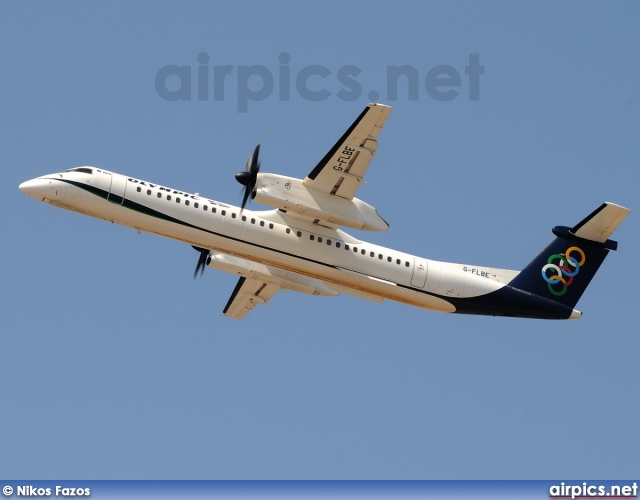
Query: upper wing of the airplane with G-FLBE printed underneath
[342, 169]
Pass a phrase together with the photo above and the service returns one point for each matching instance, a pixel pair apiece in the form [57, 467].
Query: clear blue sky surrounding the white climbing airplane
[114, 363]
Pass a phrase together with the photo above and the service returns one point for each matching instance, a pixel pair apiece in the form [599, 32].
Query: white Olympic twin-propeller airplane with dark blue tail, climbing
[299, 244]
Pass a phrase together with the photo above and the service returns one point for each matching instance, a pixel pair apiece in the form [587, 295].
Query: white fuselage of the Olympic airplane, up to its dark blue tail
[332, 260]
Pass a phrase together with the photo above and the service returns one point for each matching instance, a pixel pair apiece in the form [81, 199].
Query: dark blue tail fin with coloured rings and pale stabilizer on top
[563, 270]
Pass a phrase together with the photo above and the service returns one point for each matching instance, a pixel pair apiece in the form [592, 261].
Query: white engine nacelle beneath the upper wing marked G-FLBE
[292, 195]
